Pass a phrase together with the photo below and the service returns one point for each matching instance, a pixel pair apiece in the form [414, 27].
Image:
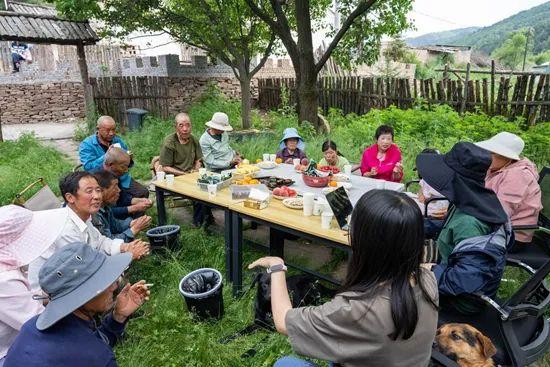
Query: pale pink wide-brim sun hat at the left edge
[25, 235]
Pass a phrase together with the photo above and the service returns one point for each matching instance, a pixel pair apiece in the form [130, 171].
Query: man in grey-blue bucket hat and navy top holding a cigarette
[79, 282]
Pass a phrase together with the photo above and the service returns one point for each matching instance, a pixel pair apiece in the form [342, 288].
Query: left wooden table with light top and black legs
[185, 186]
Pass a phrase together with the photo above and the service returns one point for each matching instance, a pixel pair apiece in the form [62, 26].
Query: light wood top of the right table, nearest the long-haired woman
[279, 214]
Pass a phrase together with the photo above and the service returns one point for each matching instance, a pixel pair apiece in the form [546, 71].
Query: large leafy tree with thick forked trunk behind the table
[357, 40]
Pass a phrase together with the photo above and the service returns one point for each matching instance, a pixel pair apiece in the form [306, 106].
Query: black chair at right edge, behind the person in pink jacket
[537, 252]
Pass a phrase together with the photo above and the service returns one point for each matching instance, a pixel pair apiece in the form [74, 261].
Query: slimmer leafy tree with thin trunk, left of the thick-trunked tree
[226, 29]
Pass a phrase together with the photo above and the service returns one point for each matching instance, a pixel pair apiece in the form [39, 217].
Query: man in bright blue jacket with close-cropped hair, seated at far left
[92, 152]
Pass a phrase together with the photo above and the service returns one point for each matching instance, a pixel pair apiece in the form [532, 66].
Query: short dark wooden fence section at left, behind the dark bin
[113, 96]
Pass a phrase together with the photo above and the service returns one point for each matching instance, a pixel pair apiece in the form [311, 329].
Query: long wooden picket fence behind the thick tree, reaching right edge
[525, 95]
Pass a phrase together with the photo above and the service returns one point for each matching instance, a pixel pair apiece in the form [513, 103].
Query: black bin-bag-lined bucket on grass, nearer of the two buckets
[202, 291]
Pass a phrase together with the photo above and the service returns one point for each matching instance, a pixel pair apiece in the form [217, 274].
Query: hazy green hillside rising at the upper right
[488, 38]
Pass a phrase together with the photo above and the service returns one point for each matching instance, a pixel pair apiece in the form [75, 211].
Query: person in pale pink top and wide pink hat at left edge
[24, 235]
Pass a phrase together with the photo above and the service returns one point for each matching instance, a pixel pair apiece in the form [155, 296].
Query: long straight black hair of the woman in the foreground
[387, 238]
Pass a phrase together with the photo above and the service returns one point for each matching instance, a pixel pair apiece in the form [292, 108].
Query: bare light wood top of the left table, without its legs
[186, 185]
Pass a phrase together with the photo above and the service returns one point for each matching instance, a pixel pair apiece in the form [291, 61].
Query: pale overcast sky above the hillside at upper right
[441, 15]
